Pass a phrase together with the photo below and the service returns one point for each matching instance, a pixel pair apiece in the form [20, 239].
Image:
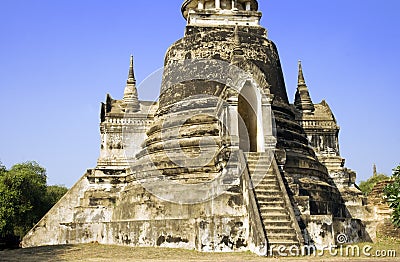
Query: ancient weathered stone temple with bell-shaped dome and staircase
[222, 162]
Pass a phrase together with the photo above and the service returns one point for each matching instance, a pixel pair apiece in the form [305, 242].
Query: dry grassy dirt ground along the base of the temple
[97, 252]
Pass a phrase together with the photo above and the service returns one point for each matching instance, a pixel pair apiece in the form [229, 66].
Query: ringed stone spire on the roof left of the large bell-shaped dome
[131, 101]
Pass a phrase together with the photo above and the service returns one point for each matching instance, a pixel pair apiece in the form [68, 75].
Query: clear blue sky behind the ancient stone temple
[58, 59]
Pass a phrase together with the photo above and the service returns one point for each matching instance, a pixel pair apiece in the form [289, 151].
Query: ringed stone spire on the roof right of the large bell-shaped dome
[303, 100]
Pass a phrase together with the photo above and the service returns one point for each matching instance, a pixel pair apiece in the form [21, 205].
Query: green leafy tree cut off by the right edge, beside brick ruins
[392, 192]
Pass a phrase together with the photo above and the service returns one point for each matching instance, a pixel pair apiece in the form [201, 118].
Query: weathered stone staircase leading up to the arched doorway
[275, 213]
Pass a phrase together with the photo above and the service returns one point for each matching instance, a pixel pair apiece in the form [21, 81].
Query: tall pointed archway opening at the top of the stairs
[247, 107]
